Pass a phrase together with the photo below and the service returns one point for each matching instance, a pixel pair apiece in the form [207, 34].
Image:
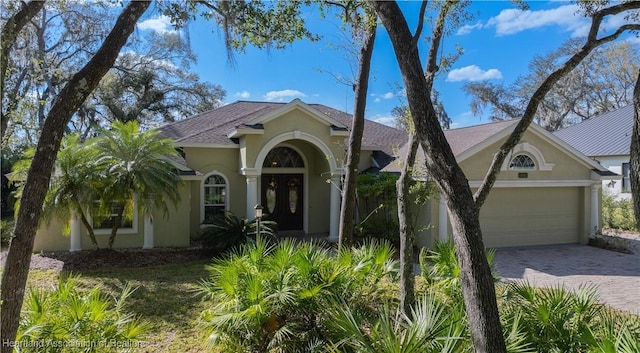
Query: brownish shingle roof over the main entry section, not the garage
[212, 127]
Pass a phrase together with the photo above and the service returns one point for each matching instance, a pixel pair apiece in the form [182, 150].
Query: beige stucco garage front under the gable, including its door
[533, 215]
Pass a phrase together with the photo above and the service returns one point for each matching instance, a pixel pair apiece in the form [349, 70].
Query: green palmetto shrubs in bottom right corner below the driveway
[556, 320]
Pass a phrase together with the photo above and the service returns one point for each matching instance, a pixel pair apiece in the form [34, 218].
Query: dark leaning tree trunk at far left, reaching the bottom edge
[16, 269]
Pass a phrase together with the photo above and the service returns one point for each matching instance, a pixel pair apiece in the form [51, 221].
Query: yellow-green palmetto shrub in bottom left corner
[66, 319]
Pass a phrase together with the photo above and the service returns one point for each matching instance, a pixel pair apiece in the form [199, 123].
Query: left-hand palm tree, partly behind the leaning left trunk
[72, 190]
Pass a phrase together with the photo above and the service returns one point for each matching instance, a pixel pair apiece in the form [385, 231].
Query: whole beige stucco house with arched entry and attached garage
[289, 158]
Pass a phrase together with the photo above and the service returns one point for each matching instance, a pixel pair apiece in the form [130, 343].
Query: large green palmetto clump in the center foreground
[275, 297]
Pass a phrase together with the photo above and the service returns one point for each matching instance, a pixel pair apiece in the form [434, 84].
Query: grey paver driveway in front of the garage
[616, 275]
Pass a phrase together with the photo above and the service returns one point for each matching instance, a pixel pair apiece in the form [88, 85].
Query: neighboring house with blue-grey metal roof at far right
[607, 139]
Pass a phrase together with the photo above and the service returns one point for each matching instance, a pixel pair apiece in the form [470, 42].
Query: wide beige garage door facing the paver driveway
[531, 216]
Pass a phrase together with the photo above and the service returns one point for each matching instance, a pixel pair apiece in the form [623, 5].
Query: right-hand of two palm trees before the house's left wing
[135, 166]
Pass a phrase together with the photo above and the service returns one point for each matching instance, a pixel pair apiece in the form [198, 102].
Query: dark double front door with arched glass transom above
[282, 195]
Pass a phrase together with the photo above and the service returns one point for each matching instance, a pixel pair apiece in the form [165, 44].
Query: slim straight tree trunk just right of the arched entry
[345, 234]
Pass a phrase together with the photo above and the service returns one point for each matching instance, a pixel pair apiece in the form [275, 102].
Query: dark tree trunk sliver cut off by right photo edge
[634, 163]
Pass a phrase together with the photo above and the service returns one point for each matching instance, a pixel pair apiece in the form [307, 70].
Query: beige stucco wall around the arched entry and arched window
[228, 162]
